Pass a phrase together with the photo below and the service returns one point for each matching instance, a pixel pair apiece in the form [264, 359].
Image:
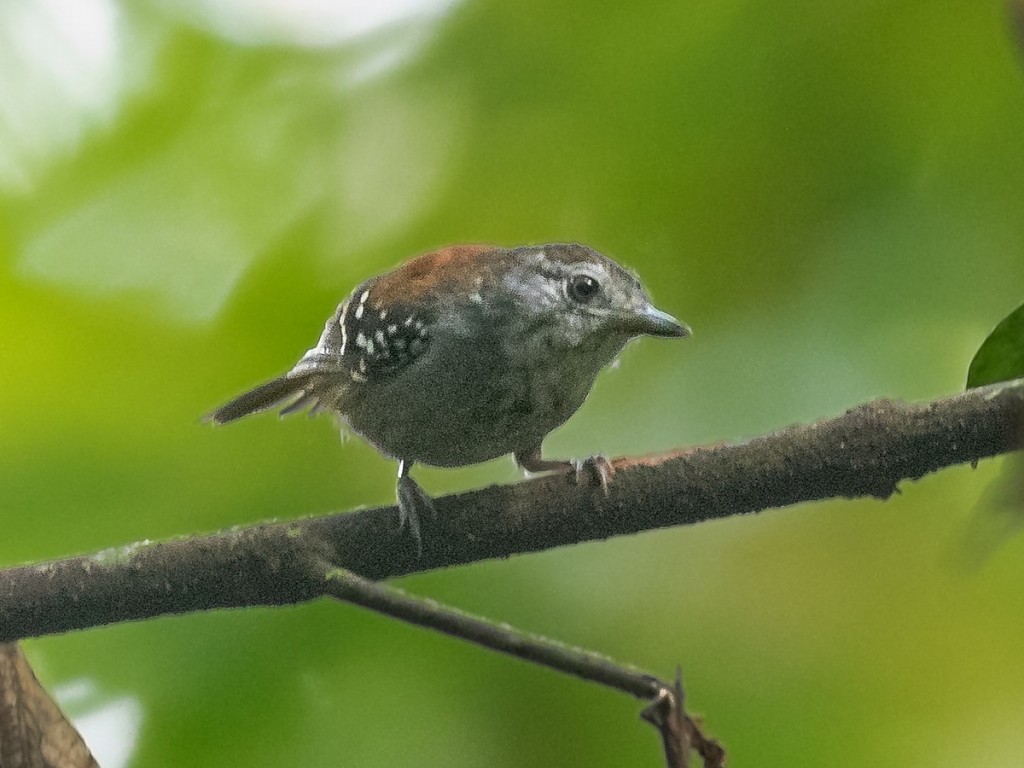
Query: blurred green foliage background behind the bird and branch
[831, 193]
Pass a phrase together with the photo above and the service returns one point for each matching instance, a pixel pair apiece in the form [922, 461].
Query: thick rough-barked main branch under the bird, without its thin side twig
[866, 452]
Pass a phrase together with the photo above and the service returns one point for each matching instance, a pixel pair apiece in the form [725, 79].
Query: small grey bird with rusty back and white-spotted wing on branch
[465, 355]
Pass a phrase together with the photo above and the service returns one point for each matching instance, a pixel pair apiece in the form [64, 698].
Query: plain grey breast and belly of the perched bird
[473, 398]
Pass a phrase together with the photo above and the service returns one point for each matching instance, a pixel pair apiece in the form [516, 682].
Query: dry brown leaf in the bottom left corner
[34, 734]
